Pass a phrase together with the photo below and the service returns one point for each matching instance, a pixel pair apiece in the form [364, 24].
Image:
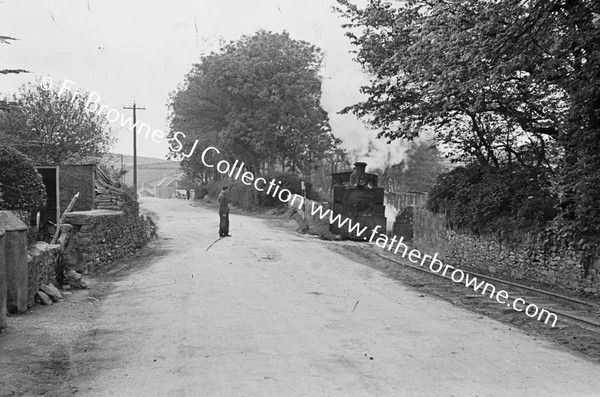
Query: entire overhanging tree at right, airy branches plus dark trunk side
[505, 83]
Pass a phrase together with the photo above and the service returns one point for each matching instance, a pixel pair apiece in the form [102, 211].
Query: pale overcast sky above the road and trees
[141, 50]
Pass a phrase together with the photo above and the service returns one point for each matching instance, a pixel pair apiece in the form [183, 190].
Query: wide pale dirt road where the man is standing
[269, 312]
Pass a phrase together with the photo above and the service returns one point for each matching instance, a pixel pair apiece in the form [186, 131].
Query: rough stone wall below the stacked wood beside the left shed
[100, 237]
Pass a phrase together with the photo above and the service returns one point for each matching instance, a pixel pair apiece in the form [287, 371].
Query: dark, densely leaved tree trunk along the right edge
[569, 33]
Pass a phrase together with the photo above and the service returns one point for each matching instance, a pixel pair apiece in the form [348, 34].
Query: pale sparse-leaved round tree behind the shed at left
[54, 129]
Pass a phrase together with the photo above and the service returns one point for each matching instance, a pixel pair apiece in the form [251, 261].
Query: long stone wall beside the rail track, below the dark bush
[552, 265]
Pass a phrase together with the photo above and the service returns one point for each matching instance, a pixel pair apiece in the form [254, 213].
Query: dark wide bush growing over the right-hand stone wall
[492, 200]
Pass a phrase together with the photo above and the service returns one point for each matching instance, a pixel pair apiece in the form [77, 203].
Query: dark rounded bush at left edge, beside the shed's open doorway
[21, 186]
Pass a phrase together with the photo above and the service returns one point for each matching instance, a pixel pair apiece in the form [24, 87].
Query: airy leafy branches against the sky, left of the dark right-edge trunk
[436, 65]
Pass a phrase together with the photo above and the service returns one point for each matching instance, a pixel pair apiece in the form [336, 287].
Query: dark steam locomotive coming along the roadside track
[355, 195]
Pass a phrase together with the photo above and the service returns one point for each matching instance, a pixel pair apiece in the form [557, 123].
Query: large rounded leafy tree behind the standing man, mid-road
[258, 101]
